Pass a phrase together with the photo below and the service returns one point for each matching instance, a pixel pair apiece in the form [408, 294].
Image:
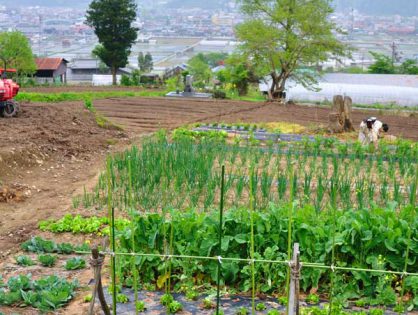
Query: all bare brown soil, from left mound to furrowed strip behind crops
[52, 151]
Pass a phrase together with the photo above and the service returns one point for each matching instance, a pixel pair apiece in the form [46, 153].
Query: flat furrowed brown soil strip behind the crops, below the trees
[149, 114]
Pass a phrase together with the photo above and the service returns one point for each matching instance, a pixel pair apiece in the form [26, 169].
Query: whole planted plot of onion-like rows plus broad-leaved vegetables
[353, 247]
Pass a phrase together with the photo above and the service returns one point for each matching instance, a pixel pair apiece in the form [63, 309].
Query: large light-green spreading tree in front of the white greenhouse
[284, 36]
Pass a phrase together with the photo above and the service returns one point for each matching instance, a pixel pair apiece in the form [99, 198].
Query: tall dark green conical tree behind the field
[112, 24]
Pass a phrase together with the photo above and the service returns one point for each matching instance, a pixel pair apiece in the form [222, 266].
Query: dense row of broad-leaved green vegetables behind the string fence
[370, 239]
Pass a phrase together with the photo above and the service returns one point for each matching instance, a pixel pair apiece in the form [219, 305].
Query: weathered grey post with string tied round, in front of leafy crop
[293, 304]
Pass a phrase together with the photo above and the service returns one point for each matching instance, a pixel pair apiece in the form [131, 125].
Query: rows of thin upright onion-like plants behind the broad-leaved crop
[186, 173]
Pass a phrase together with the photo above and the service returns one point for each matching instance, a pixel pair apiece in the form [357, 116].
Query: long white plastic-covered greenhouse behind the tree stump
[363, 89]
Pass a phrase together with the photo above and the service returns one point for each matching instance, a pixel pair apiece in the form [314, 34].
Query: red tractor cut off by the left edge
[8, 90]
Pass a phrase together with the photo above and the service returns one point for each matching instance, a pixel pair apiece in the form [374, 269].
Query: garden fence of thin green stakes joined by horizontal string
[220, 258]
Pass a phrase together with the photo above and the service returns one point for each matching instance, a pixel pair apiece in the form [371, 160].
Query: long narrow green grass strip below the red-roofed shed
[80, 96]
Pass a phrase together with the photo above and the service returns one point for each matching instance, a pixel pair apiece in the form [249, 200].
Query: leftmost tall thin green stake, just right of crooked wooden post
[111, 211]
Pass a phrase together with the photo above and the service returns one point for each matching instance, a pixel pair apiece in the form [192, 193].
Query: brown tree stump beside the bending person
[340, 117]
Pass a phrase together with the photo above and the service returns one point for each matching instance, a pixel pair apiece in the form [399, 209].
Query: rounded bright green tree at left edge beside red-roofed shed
[16, 51]
